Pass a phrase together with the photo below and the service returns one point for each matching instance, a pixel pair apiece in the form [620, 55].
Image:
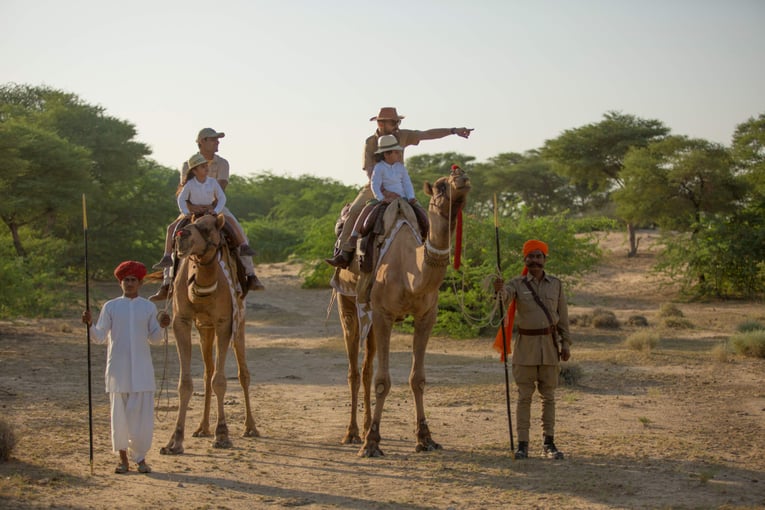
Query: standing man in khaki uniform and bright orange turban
[543, 341]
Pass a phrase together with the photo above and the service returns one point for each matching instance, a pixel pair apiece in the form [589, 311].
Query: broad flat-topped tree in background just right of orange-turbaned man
[593, 155]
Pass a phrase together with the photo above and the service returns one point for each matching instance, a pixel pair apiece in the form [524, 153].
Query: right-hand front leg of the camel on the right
[422, 329]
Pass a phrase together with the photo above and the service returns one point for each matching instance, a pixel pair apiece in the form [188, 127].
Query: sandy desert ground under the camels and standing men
[677, 427]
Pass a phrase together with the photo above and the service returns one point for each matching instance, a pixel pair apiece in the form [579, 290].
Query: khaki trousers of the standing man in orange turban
[545, 379]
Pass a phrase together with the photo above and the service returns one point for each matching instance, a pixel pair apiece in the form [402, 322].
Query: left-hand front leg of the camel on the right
[382, 326]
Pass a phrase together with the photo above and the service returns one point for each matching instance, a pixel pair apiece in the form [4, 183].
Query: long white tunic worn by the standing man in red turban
[129, 324]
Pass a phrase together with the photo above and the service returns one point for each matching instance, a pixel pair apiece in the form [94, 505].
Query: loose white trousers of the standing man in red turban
[132, 423]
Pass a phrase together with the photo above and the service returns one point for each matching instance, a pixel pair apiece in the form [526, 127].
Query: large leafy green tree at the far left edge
[64, 147]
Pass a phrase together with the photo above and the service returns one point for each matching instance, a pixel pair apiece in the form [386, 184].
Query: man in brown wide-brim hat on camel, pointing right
[388, 121]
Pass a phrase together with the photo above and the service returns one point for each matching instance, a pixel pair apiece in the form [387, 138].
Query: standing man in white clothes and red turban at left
[129, 323]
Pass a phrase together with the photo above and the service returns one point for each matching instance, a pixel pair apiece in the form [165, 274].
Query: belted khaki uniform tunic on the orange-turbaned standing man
[538, 349]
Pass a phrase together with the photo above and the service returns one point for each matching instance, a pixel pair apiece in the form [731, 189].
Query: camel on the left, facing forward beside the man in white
[203, 293]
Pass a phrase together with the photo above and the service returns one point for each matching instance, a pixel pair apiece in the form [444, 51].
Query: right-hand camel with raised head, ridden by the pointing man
[406, 282]
